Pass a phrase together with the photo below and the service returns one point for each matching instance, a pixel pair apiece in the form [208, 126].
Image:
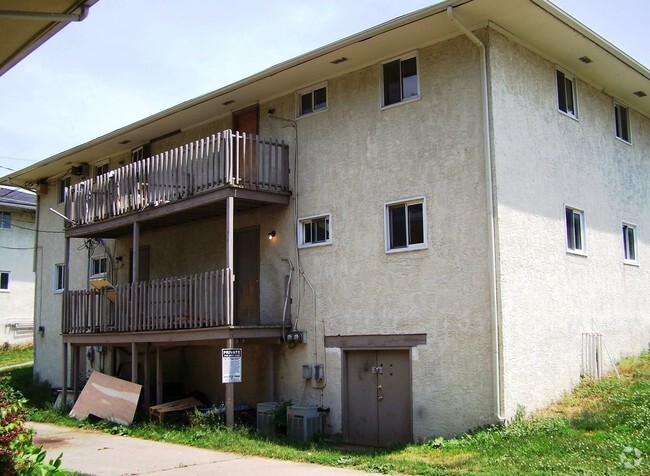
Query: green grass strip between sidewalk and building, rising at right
[584, 434]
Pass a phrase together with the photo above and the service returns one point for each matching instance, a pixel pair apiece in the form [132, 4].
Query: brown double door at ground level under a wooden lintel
[378, 397]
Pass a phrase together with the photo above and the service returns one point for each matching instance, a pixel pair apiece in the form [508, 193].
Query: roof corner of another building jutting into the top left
[27, 24]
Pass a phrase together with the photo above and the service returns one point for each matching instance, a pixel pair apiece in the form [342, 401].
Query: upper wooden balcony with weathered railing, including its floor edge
[181, 184]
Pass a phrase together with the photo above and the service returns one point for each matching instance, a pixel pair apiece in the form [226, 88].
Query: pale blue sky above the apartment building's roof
[132, 58]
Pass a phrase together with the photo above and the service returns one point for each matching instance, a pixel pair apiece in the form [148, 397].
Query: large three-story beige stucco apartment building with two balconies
[451, 236]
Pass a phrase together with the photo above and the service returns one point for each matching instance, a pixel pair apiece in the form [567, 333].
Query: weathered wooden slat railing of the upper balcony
[224, 159]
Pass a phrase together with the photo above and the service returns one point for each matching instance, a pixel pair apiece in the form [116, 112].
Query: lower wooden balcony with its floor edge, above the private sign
[177, 307]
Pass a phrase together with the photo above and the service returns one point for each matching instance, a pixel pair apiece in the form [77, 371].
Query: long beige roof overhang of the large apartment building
[536, 24]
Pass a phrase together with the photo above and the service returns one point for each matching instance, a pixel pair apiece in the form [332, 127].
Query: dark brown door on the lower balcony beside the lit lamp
[247, 277]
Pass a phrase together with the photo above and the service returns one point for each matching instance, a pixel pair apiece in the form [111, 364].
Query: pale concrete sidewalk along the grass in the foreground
[96, 453]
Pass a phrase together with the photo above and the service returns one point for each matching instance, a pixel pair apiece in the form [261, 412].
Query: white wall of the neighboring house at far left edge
[16, 257]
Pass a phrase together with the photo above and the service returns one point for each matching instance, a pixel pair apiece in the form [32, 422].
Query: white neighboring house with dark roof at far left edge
[17, 236]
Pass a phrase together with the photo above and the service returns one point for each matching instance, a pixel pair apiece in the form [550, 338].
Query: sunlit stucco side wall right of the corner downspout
[544, 161]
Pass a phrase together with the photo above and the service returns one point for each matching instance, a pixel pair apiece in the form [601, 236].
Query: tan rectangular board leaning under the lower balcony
[107, 397]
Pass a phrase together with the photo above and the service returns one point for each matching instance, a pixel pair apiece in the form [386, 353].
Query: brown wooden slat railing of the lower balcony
[181, 302]
